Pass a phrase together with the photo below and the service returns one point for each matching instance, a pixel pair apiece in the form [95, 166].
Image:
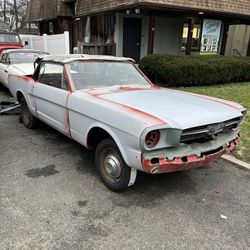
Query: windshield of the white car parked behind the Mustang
[24, 57]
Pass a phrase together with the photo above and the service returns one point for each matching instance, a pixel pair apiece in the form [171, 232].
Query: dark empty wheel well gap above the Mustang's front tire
[95, 136]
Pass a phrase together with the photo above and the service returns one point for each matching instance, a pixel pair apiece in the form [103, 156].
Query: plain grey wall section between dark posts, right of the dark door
[168, 35]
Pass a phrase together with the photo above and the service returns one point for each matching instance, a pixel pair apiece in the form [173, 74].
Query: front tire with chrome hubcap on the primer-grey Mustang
[111, 167]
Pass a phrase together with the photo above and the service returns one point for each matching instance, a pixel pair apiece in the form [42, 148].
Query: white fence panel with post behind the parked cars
[53, 44]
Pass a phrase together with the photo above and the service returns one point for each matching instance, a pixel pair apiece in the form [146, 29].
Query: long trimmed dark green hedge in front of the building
[195, 70]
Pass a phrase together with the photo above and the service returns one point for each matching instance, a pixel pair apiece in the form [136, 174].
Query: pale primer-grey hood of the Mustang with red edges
[177, 109]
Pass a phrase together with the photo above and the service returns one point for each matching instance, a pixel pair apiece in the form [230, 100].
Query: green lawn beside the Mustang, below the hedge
[237, 92]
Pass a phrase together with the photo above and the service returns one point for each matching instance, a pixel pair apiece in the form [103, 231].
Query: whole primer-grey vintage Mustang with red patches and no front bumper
[107, 104]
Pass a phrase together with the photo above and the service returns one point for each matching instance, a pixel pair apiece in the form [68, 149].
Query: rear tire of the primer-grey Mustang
[26, 117]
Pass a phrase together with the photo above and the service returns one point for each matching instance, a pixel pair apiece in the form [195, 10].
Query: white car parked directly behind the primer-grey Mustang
[18, 62]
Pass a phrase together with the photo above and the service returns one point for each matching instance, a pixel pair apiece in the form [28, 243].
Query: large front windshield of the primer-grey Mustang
[87, 75]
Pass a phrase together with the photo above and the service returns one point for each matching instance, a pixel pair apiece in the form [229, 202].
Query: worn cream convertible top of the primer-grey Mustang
[77, 57]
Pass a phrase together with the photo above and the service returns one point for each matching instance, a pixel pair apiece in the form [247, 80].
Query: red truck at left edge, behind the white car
[9, 40]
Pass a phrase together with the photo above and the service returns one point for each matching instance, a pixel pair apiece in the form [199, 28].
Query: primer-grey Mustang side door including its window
[51, 96]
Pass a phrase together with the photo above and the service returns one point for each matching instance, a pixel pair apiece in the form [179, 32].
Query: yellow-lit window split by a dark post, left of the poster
[196, 37]
